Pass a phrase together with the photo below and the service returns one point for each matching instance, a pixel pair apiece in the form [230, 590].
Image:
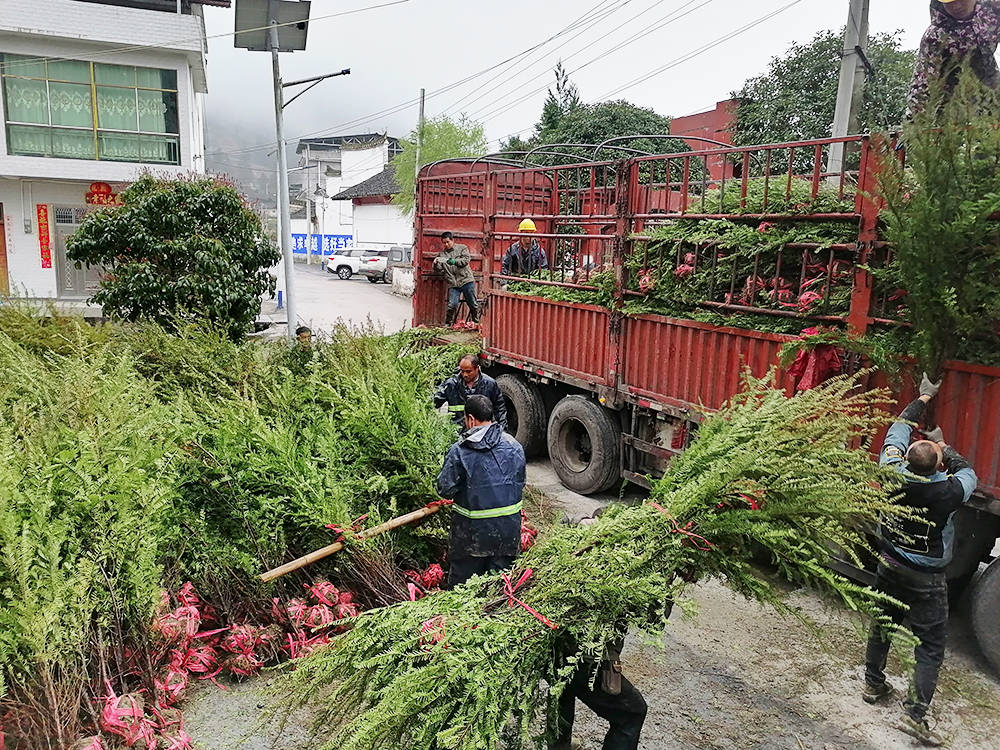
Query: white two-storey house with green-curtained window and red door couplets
[94, 92]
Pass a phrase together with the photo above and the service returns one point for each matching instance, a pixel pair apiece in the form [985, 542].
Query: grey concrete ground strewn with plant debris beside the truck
[733, 677]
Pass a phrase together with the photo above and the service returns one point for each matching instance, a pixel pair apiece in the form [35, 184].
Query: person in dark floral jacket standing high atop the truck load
[960, 30]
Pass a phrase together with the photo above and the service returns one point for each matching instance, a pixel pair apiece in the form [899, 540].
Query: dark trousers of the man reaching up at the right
[926, 594]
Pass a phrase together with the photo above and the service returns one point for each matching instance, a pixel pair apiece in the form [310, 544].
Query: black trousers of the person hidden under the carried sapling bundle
[626, 711]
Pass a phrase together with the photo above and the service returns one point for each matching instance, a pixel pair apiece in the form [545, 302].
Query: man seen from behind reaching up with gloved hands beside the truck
[914, 553]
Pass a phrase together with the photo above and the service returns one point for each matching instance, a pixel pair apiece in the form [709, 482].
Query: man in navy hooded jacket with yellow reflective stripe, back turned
[484, 474]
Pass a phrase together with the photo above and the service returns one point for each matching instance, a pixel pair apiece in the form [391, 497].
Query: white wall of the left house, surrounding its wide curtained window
[87, 31]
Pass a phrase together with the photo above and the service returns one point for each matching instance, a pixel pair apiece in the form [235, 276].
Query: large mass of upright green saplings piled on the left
[133, 459]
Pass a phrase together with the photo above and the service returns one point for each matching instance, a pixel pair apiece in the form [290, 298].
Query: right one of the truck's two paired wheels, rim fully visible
[584, 445]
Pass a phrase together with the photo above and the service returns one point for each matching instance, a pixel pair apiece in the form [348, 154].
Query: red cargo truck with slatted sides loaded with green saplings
[650, 308]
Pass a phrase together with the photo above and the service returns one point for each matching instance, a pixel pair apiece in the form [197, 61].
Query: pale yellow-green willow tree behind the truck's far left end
[443, 138]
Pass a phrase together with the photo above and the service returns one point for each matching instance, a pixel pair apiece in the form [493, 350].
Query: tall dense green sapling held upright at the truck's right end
[939, 219]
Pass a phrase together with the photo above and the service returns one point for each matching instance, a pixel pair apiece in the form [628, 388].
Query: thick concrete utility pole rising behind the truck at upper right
[850, 91]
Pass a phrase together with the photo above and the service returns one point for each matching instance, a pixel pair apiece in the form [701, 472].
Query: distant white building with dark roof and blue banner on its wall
[337, 175]
